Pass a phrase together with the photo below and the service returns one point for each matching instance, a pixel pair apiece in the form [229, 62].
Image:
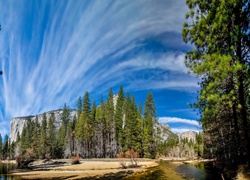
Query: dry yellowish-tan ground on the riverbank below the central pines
[87, 169]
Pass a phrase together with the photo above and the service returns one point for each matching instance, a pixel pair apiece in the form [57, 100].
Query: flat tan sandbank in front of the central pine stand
[88, 169]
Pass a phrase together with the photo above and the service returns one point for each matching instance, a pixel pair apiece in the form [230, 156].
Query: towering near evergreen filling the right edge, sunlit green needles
[219, 30]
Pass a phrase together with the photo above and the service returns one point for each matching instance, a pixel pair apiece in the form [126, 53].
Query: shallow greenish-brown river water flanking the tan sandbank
[165, 170]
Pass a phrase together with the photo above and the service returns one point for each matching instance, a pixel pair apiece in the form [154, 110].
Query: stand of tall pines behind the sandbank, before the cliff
[115, 125]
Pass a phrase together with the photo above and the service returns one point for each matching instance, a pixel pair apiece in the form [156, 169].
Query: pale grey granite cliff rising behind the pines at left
[17, 124]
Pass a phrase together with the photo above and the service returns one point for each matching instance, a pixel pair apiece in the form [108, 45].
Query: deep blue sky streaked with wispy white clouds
[52, 52]
